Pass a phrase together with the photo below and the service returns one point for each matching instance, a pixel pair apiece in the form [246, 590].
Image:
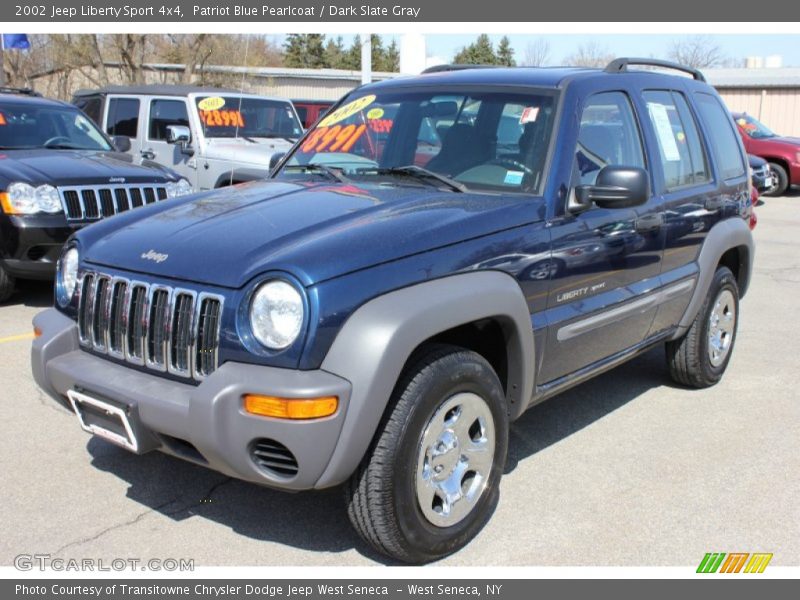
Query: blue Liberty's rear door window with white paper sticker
[683, 160]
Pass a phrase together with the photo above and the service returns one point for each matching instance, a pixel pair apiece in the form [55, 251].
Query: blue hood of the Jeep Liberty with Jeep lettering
[316, 232]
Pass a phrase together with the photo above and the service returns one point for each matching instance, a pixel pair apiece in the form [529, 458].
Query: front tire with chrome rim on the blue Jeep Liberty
[395, 499]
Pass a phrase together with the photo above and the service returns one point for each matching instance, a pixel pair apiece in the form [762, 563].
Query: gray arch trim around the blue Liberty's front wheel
[374, 344]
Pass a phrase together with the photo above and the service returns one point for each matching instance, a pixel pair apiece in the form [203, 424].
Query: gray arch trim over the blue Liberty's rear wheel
[727, 234]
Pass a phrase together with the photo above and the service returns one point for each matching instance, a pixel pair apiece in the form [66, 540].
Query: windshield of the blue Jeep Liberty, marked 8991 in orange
[477, 140]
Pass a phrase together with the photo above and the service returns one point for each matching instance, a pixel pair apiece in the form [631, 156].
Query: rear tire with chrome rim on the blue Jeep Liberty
[700, 357]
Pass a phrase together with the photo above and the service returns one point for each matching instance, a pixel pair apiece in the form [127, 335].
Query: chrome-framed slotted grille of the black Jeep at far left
[88, 203]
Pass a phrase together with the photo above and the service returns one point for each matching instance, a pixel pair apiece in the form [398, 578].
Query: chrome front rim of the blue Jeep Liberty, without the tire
[455, 459]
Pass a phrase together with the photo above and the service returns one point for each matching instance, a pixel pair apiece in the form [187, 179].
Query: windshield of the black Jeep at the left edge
[28, 126]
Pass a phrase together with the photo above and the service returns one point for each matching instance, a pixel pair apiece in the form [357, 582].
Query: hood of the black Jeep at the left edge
[74, 167]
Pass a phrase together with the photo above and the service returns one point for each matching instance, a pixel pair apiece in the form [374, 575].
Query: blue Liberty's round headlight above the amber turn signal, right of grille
[276, 314]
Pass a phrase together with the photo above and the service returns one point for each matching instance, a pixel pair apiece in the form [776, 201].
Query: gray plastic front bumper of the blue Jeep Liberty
[203, 423]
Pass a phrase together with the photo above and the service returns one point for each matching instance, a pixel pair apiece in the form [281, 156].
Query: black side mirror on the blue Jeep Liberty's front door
[616, 187]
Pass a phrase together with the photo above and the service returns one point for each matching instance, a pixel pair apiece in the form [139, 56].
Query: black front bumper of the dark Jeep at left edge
[30, 245]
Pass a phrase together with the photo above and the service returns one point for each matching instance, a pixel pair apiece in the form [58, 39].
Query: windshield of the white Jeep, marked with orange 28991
[245, 117]
